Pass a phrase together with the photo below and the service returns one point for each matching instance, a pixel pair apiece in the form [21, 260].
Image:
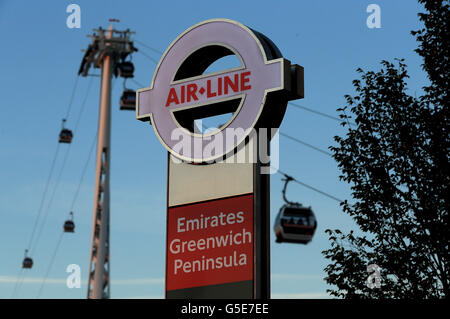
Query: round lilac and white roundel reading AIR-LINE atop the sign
[256, 92]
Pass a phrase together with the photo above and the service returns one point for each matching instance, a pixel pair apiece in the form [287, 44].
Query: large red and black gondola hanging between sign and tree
[295, 223]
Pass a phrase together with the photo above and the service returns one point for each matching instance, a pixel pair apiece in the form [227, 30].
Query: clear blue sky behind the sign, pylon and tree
[39, 60]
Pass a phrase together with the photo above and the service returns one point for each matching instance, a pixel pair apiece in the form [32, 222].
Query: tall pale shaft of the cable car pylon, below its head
[99, 283]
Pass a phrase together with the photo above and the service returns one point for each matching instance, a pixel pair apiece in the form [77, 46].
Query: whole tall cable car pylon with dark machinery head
[108, 50]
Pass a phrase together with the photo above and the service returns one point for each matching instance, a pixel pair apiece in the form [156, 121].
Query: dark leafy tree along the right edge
[395, 156]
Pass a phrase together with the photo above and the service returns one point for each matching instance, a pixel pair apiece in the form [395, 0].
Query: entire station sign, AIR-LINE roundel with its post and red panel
[217, 235]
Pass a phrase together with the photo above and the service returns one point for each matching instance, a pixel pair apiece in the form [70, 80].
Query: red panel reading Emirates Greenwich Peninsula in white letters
[210, 243]
